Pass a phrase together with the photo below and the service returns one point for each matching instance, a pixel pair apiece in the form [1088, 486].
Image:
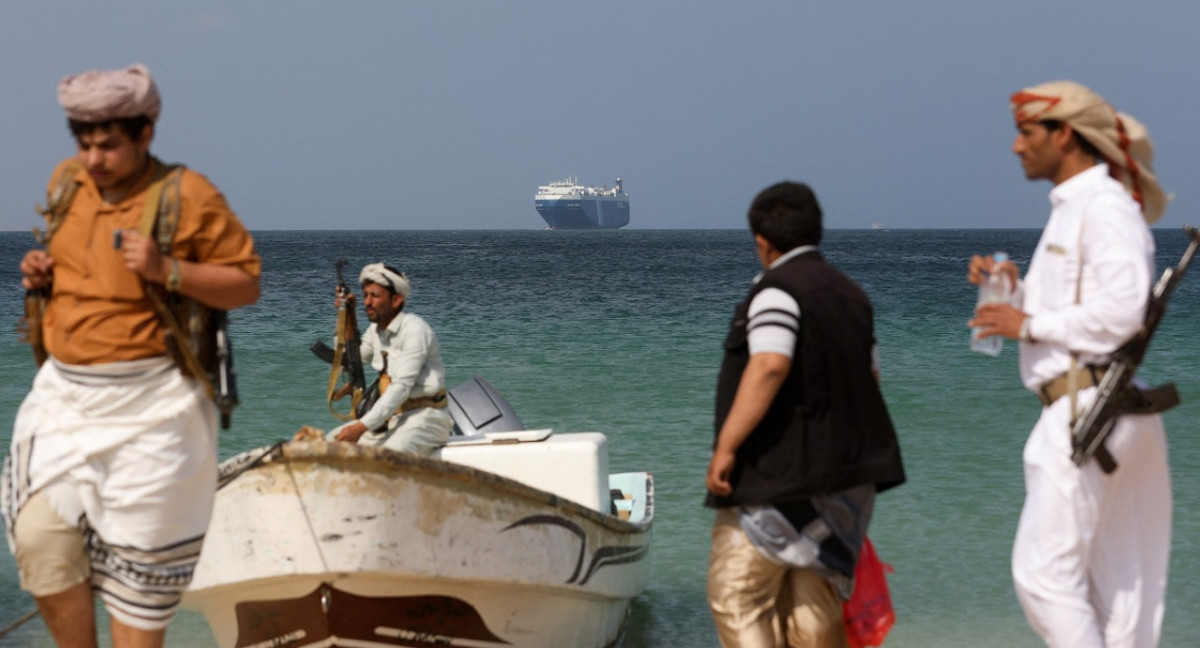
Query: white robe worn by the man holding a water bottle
[1091, 551]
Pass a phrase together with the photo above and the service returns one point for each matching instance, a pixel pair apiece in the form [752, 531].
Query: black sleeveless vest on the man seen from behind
[829, 429]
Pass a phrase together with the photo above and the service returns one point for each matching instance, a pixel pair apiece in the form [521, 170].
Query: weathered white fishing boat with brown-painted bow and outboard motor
[512, 538]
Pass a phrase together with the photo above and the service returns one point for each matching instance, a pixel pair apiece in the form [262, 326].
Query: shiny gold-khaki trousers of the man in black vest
[760, 604]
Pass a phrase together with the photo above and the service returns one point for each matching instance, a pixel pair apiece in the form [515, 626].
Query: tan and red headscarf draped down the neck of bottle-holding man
[1121, 140]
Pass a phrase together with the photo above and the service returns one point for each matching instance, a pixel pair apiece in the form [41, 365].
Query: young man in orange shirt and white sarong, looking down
[110, 482]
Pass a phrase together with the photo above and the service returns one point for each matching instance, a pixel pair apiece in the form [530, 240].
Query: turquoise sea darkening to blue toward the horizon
[621, 333]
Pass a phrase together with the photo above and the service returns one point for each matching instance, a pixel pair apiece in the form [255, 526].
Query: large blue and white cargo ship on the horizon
[567, 205]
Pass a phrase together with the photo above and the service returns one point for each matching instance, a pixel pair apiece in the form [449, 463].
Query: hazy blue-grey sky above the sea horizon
[449, 115]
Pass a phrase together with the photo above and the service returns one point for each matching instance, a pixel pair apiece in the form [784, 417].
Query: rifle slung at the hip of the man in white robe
[1115, 395]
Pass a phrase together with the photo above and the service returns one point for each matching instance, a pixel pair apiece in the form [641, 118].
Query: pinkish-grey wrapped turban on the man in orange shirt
[104, 95]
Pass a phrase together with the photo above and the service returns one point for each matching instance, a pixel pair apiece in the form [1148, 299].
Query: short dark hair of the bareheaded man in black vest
[788, 215]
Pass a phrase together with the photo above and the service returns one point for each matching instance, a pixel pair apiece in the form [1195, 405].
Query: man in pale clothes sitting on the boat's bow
[410, 415]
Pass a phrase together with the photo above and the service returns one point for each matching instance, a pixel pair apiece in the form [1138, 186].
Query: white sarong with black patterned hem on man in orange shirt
[129, 452]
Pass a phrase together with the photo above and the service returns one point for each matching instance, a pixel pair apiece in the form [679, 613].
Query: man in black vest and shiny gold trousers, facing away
[803, 440]
